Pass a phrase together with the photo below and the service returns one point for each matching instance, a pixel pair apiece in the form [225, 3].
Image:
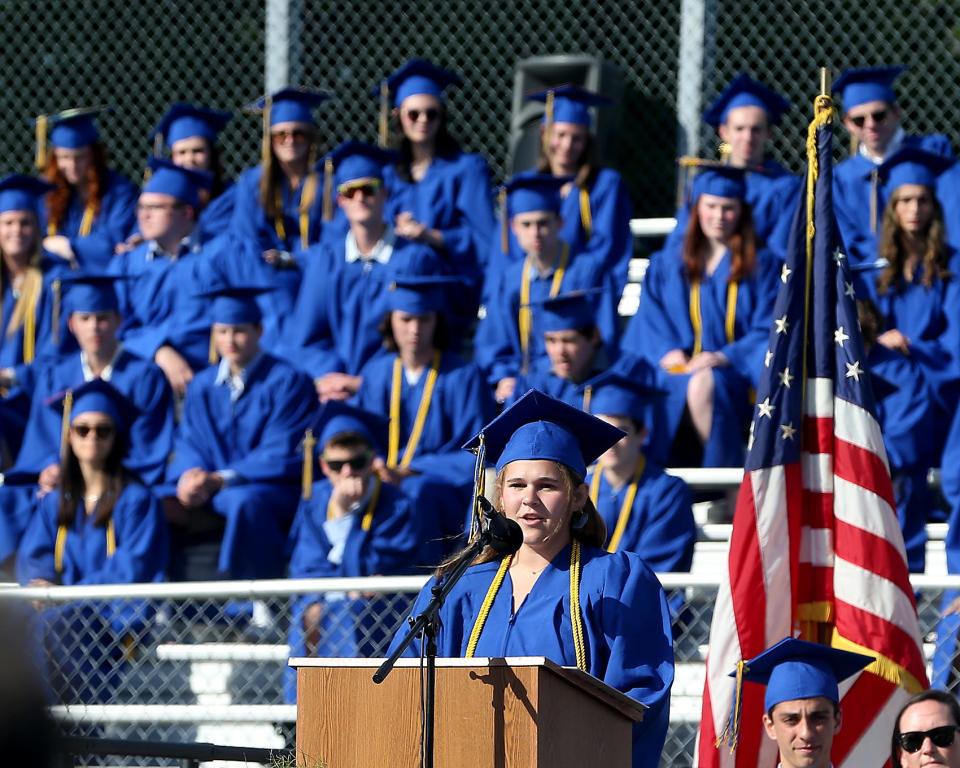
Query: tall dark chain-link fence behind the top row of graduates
[140, 57]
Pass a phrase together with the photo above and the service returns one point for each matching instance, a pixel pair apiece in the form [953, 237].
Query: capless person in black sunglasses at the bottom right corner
[926, 731]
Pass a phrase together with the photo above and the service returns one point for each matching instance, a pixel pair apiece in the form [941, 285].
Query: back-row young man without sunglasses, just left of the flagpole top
[743, 115]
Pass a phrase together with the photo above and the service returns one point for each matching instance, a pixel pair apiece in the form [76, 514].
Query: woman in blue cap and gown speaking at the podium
[559, 595]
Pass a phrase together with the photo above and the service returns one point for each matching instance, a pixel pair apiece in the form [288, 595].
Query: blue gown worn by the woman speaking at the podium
[626, 628]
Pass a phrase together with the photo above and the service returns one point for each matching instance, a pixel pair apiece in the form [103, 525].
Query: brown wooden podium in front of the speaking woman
[490, 713]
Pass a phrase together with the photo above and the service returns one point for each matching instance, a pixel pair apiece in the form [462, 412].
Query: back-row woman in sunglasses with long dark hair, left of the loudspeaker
[440, 195]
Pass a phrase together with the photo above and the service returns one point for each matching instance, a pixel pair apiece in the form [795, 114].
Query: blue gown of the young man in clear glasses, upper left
[159, 305]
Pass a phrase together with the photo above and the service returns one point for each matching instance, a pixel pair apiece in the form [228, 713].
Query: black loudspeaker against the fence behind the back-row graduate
[542, 72]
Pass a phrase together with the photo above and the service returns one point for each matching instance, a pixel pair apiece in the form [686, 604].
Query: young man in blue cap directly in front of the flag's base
[801, 703]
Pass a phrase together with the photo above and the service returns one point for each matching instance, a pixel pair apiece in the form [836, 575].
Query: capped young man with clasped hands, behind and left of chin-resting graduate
[235, 463]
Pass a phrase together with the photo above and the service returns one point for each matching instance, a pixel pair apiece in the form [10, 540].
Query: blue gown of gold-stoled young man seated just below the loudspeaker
[497, 343]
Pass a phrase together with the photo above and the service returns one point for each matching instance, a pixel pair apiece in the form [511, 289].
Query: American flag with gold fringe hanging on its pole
[816, 550]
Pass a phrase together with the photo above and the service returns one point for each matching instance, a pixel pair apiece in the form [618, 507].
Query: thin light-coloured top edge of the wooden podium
[629, 708]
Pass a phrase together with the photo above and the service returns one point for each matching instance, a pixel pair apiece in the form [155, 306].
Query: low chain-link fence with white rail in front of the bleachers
[213, 669]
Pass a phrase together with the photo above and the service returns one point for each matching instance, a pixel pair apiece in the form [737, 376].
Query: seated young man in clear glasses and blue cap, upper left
[164, 319]
